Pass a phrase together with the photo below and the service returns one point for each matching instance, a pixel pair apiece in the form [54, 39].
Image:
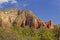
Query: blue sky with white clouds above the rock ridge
[43, 9]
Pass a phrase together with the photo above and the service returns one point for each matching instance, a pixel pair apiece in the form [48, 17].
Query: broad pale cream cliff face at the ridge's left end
[7, 17]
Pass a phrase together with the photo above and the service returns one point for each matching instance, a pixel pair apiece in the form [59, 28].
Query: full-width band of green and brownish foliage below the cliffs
[26, 33]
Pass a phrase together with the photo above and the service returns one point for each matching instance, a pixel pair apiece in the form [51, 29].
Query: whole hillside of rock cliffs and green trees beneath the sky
[18, 24]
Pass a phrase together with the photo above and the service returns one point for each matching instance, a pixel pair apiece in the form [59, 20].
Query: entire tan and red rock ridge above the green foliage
[22, 18]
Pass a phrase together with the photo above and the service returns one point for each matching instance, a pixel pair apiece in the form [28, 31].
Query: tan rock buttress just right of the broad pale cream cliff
[21, 19]
